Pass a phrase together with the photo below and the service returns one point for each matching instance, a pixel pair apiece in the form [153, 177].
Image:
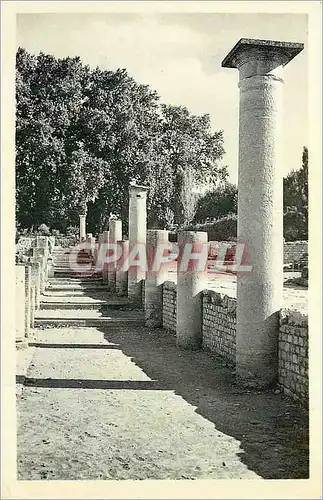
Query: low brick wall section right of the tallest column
[293, 353]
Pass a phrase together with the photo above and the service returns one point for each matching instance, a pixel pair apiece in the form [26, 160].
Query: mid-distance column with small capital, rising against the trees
[137, 236]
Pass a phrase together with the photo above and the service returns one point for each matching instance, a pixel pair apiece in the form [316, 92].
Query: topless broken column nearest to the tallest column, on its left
[191, 281]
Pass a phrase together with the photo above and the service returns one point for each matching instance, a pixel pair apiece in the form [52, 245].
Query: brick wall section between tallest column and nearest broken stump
[219, 324]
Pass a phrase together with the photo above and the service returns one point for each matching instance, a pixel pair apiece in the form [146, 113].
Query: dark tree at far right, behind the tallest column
[296, 202]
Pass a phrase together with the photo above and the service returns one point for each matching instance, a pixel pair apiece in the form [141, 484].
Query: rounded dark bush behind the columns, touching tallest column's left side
[218, 202]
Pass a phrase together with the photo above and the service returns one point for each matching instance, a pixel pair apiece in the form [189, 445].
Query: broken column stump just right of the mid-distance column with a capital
[155, 277]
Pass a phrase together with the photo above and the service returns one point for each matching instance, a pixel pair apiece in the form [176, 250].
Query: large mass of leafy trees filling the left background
[83, 135]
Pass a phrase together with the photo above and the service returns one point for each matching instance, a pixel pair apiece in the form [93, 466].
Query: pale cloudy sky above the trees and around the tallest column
[180, 55]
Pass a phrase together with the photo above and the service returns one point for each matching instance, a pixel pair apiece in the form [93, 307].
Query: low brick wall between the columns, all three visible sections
[219, 336]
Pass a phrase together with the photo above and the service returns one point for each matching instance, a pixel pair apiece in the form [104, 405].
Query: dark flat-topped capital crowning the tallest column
[260, 57]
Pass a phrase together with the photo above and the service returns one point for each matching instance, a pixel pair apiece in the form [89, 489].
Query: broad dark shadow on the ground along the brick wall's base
[272, 429]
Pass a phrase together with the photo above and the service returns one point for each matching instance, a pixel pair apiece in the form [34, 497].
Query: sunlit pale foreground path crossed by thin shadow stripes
[92, 413]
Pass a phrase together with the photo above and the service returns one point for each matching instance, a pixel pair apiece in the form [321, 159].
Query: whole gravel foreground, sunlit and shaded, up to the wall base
[124, 403]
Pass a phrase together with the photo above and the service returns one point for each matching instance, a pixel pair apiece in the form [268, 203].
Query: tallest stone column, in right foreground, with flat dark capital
[260, 204]
